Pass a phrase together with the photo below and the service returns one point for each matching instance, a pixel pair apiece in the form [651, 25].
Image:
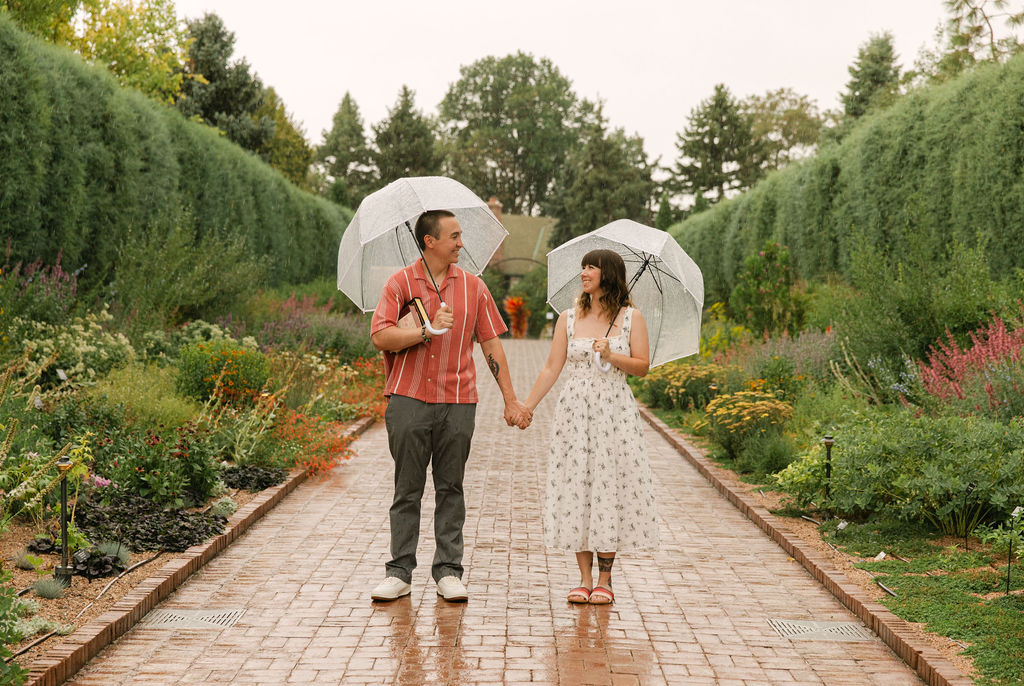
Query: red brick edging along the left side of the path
[87, 642]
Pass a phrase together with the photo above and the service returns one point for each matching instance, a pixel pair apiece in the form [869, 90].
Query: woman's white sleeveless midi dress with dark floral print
[601, 496]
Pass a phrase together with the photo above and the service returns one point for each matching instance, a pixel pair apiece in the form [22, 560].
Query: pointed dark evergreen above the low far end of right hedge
[717, 151]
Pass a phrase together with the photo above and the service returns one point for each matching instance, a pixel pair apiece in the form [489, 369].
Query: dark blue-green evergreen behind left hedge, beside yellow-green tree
[223, 94]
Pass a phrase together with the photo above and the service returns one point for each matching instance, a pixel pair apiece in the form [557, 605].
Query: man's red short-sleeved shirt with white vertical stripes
[443, 370]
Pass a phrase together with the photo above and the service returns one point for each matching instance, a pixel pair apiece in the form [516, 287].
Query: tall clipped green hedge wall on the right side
[944, 163]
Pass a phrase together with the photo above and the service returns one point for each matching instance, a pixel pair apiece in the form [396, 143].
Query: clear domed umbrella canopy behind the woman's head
[665, 284]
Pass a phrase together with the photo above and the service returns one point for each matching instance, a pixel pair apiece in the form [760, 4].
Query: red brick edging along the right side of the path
[926, 661]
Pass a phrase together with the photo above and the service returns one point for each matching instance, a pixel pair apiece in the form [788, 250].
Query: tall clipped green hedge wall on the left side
[83, 161]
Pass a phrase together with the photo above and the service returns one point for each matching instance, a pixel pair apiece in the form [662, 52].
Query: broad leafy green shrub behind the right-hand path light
[951, 473]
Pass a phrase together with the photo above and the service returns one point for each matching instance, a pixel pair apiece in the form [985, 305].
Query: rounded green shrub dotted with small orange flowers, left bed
[238, 374]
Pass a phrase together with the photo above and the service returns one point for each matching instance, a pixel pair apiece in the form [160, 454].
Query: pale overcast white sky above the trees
[651, 61]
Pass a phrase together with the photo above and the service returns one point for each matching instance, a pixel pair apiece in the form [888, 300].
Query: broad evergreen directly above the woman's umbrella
[608, 179]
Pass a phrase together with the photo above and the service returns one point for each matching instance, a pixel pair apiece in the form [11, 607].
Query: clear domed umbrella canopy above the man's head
[379, 240]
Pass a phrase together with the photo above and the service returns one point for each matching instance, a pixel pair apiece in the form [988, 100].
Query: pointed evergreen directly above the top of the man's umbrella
[405, 144]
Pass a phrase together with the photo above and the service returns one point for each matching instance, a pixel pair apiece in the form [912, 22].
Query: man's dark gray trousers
[421, 434]
